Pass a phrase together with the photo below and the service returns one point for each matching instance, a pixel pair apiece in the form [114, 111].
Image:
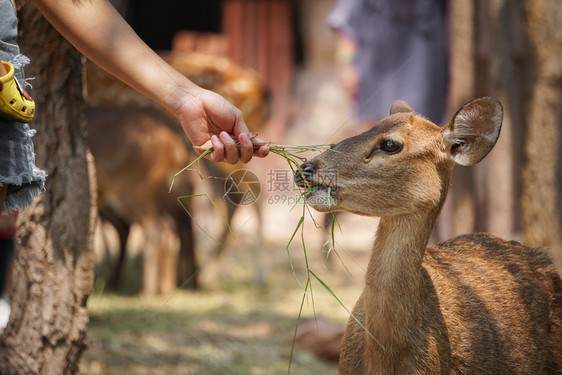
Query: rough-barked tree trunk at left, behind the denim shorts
[53, 270]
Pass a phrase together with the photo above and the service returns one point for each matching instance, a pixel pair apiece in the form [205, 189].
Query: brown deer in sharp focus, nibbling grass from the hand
[473, 304]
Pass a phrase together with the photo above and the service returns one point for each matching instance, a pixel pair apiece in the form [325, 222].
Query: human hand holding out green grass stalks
[209, 120]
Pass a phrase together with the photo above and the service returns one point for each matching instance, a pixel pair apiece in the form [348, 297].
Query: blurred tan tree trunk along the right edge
[541, 181]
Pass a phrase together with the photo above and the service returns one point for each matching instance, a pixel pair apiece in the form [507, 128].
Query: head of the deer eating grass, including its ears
[401, 164]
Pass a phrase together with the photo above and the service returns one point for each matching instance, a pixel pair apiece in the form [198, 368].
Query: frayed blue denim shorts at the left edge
[17, 159]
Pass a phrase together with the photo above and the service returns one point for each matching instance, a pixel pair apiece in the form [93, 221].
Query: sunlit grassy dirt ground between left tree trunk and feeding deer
[230, 327]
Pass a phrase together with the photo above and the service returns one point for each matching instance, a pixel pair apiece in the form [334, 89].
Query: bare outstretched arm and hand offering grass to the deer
[96, 29]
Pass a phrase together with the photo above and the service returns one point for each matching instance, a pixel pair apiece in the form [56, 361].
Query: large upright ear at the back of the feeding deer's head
[474, 130]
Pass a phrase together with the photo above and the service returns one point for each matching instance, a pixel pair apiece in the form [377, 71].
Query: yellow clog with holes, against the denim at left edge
[13, 105]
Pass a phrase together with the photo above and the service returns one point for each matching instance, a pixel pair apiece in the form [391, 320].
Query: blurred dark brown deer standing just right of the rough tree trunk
[135, 152]
